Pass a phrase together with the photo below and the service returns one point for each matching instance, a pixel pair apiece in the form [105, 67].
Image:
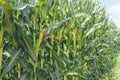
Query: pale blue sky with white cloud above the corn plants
[113, 9]
